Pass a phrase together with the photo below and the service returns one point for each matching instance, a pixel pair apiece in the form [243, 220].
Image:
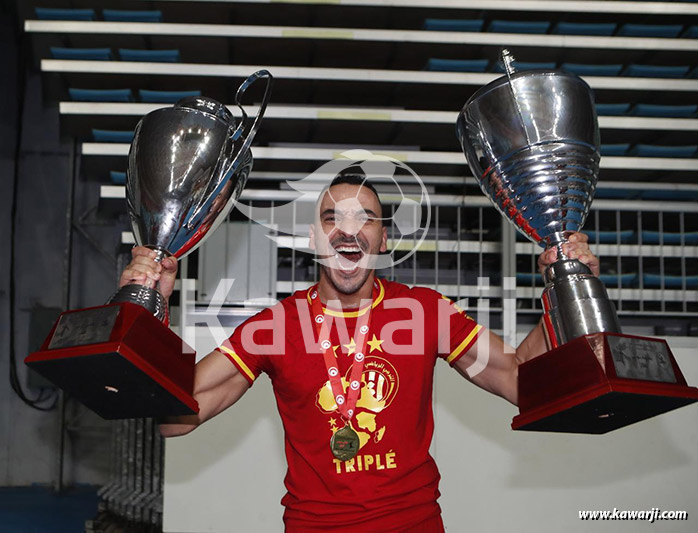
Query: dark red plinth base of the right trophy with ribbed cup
[598, 383]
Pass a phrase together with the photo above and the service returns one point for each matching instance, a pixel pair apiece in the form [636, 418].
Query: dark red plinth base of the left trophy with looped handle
[120, 361]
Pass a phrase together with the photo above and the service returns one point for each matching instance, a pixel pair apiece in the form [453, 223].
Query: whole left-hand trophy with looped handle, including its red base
[187, 166]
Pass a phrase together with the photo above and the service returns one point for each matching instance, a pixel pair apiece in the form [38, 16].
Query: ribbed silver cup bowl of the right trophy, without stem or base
[531, 139]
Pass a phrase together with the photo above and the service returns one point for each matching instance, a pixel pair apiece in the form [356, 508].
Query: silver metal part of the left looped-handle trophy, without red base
[187, 166]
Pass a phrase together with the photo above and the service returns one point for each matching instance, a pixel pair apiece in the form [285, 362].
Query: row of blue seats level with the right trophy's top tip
[581, 69]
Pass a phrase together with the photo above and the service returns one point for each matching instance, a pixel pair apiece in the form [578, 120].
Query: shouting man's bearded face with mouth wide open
[347, 235]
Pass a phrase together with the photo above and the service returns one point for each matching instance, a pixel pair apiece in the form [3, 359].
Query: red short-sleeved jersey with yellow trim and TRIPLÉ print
[392, 483]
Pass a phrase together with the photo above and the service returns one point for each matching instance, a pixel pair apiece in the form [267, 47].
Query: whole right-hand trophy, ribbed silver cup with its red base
[531, 139]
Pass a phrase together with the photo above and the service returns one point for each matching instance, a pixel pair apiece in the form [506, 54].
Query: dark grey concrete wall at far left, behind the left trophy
[29, 439]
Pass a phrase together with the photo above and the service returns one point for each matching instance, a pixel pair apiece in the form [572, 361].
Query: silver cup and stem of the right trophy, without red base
[531, 139]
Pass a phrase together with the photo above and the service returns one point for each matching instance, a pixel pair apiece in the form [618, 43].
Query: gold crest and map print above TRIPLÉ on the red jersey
[379, 386]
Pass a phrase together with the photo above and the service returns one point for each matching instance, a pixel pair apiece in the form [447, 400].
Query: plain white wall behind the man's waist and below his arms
[227, 476]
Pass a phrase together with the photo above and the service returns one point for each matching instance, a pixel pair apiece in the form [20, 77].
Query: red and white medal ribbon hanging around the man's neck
[346, 402]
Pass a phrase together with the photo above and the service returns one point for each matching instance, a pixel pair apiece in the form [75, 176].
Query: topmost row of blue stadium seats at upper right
[564, 28]
